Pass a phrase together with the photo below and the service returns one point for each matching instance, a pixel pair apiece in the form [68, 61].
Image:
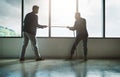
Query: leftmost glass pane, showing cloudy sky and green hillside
[10, 18]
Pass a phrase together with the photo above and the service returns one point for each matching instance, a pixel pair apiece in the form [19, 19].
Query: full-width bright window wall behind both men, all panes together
[102, 17]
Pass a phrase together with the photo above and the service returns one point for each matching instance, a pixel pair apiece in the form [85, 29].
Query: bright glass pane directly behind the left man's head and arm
[42, 15]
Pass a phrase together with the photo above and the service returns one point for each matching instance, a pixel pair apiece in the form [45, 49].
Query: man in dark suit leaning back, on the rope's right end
[82, 34]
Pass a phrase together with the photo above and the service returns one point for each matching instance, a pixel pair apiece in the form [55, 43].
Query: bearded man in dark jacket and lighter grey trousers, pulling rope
[29, 32]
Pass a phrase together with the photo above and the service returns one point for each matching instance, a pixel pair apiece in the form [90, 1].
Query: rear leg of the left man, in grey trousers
[25, 43]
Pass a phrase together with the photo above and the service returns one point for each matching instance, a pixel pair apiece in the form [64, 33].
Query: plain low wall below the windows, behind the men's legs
[60, 48]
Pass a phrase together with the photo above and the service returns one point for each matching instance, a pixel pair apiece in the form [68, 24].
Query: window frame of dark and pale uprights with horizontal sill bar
[49, 23]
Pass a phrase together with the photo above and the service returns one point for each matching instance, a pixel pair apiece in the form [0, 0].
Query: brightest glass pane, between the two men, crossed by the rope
[62, 15]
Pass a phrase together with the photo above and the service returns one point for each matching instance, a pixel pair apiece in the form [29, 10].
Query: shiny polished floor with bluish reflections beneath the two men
[59, 68]
